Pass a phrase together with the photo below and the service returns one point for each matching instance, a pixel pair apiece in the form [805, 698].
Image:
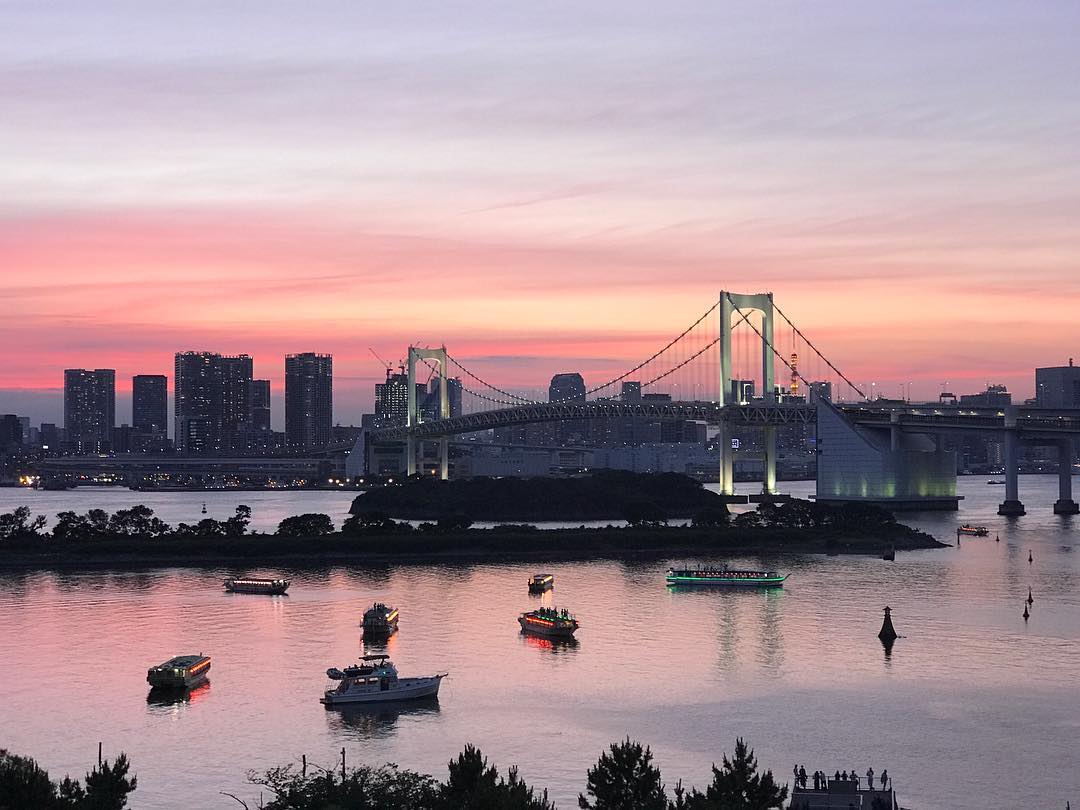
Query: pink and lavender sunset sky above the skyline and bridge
[544, 187]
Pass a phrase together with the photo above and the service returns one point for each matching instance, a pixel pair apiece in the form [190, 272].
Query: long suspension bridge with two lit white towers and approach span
[745, 362]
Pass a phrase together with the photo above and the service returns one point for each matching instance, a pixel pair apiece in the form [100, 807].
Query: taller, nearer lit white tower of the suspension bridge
[733, 304]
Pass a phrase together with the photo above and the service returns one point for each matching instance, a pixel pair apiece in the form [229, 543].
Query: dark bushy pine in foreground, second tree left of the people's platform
[625, 779]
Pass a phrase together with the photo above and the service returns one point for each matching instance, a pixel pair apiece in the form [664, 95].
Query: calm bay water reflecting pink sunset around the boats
[974, 709]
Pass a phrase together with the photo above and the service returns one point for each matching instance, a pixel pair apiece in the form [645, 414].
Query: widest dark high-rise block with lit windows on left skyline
[212, 403]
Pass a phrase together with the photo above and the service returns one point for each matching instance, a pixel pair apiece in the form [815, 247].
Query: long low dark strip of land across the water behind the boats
[465, 548]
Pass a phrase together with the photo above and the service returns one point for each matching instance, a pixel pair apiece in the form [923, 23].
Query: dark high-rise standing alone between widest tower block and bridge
[309, 400]
